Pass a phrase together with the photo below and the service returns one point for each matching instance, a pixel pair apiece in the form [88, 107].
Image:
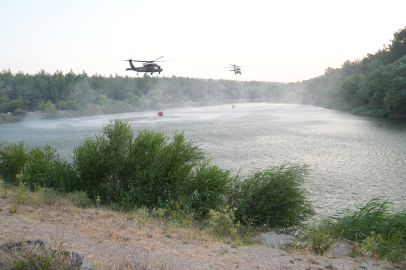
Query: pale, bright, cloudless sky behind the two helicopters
[277, 41]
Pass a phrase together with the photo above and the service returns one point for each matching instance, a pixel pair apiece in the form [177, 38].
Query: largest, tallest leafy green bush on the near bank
[143, 170]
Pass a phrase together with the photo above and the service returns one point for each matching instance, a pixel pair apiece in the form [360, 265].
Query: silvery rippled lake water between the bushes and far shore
[353, 158]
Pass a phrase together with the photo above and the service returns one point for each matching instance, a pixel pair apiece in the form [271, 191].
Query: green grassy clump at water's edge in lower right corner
[377, 231]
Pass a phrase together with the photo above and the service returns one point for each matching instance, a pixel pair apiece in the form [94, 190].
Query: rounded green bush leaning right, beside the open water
[273, 197]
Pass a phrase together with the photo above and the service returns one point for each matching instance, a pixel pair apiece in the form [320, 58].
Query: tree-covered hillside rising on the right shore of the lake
[372, 86]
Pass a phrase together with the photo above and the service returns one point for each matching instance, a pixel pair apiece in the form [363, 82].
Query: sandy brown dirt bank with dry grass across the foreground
[107, 240]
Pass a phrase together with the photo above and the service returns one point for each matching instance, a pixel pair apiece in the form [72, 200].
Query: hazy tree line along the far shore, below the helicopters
[44, 95]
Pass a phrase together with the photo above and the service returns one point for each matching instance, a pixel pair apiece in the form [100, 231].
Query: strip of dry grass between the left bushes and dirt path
[124, 228]
